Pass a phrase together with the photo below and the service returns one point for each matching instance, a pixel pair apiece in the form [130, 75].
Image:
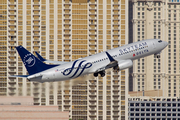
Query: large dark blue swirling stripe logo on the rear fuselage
[77, 68]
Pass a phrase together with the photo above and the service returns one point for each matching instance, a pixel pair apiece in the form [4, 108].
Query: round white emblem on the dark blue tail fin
[29, 60]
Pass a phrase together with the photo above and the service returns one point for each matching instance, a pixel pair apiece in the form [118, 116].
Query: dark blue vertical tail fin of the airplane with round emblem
[32, 64]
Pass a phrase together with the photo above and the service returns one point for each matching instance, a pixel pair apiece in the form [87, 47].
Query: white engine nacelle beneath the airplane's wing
[125, 64]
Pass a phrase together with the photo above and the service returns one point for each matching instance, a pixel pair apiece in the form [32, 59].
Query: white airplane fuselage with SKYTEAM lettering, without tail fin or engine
[92, 63]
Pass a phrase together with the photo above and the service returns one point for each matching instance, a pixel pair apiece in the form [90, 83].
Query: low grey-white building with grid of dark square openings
[146, 108]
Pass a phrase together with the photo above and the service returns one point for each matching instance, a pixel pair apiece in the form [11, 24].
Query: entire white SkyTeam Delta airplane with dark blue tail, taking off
[118, 58]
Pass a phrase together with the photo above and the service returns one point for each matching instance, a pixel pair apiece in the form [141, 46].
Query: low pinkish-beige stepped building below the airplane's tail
[21, 108]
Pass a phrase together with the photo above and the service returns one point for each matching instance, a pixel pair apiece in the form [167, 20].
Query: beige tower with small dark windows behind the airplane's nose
[156, 19]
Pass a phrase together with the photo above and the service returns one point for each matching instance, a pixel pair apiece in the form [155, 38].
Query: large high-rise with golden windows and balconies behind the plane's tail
[65, 30]
